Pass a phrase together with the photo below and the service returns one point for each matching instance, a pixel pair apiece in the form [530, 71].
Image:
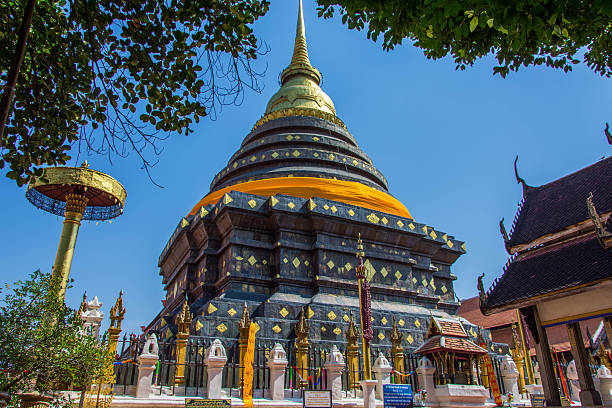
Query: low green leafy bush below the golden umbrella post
[42, 342]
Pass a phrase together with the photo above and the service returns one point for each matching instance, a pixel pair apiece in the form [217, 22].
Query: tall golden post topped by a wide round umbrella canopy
[68, 191]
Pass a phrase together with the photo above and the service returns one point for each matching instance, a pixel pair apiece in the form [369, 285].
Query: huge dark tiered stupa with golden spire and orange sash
[278, 232]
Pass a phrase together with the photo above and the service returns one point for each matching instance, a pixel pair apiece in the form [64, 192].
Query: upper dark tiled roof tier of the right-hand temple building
[561, 203]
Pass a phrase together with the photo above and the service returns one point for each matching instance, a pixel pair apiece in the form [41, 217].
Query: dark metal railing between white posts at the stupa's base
[195, 379]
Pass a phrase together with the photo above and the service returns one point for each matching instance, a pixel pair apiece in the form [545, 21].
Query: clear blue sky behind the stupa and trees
[445, 140]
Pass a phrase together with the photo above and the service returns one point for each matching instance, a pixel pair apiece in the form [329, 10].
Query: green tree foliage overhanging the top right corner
[557, 33]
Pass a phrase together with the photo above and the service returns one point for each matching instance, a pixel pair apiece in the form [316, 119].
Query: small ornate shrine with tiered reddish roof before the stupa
[452, 353]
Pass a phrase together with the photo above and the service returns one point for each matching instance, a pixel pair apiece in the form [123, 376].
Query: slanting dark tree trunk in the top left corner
[9, 90]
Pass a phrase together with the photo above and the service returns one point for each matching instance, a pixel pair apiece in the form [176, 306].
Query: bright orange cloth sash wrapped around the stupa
[348, 192]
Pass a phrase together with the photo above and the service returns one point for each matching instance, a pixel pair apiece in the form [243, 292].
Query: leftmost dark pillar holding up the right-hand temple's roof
[547, 371]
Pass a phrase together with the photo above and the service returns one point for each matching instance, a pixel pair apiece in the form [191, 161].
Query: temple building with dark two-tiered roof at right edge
[559, 272]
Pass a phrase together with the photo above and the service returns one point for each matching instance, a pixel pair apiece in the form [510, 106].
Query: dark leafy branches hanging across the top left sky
[117, 76]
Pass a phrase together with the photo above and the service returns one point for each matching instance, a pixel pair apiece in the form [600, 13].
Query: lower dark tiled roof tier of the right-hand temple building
[549, 270]
